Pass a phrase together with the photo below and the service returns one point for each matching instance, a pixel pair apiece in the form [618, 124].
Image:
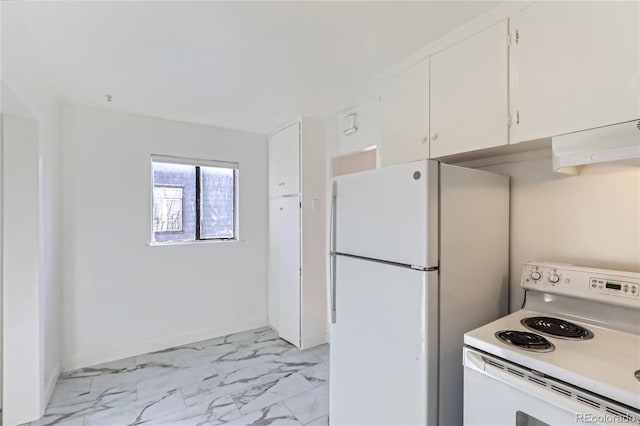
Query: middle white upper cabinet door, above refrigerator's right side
[469, 99]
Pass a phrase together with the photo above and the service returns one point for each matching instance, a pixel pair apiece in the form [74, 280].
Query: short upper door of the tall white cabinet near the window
[284, 161]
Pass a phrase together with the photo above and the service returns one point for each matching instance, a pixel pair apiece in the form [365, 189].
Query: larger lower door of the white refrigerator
[383, 345]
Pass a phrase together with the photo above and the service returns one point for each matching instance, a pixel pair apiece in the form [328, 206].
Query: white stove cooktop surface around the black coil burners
[603, 360]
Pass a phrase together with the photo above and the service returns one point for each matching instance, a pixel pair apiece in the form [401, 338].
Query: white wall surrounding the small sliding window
[123, 297]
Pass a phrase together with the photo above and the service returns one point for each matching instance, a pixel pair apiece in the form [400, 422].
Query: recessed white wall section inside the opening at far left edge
[21, 271]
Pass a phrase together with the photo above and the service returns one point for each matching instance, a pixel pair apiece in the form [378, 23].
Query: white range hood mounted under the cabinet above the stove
[610, 143]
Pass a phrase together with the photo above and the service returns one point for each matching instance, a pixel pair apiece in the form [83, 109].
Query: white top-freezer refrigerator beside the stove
[419, 256]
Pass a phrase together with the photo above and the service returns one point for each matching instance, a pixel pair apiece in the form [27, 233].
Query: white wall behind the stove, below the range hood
[592, 219]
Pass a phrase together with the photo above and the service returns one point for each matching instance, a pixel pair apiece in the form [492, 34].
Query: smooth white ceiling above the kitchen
[244, 65]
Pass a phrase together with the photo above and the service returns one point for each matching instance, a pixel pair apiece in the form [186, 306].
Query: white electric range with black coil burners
[570, 356]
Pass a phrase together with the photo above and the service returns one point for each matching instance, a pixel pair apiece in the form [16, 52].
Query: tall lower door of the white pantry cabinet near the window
[285, 260]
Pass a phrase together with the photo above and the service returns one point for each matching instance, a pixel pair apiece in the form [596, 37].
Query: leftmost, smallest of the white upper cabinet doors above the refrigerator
[404, 116]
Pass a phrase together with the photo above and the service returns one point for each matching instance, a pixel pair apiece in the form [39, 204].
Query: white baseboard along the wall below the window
[87, 360]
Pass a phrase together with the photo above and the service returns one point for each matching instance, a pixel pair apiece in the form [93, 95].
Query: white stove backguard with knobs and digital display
[609, 286]
